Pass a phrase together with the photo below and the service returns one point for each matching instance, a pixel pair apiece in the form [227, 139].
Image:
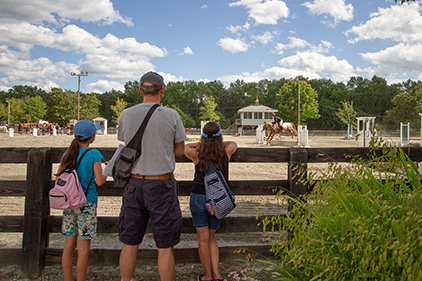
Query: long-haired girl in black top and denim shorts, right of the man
[211, 149]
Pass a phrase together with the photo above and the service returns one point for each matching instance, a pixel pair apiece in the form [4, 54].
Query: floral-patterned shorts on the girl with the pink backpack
[81, 221]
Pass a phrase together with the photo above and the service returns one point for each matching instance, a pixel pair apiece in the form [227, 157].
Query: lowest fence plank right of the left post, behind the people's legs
[108, 257]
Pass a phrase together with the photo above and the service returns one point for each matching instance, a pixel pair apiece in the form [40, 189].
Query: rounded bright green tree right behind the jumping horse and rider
[287, 102]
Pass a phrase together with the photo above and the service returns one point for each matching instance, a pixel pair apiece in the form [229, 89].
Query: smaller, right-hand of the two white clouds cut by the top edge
[335, 8]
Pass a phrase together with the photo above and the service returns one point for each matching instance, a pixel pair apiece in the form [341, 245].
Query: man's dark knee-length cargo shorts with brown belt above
[151, 199]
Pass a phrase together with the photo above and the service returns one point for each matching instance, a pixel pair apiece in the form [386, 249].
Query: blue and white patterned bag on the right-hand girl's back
[220, 199]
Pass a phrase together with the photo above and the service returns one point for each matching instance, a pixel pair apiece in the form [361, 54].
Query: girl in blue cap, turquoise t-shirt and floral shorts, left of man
[82, 222]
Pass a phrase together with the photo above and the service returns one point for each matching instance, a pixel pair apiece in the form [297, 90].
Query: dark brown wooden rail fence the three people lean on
[37, 223]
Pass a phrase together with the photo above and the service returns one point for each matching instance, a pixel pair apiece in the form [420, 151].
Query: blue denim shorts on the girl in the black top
[200, 215]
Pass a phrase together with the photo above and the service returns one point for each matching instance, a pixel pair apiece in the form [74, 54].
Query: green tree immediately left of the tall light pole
[63, 106]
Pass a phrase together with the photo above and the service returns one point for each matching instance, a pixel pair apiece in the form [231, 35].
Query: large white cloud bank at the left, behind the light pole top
[110, 57]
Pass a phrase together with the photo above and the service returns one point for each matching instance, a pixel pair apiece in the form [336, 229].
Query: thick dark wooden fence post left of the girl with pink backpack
[34, 241]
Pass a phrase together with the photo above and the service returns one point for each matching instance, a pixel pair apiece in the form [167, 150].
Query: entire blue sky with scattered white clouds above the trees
[206, 40]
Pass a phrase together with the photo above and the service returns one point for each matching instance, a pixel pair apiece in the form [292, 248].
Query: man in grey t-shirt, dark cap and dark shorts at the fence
[152, 191]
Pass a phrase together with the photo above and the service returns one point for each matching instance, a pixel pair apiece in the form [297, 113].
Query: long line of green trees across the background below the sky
[323, 102]
